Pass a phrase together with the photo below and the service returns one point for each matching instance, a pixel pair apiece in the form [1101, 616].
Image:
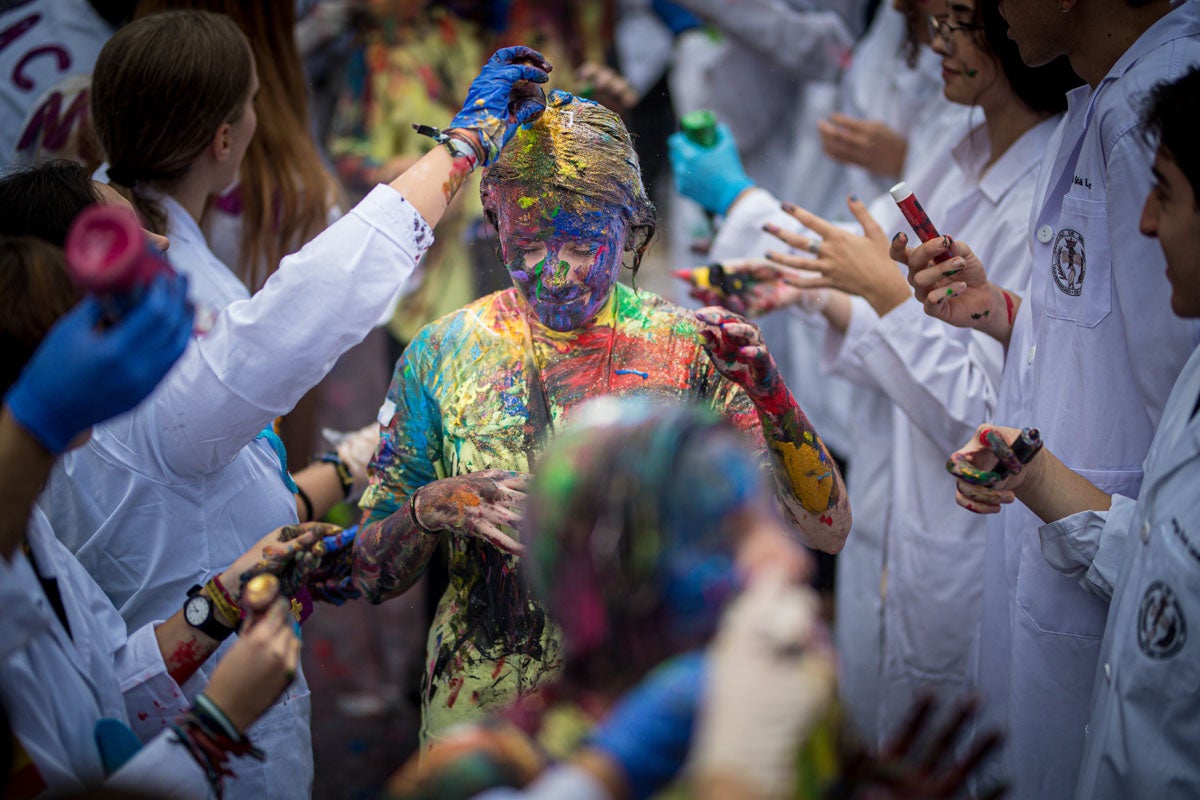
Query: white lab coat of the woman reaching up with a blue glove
[169, 496]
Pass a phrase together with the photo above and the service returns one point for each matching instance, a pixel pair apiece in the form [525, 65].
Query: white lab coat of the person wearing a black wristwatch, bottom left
[56, 688]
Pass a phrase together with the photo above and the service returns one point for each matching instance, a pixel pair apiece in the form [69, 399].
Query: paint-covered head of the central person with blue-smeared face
[568, 201]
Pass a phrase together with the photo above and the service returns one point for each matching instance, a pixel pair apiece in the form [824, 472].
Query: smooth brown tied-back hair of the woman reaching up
[161, 88]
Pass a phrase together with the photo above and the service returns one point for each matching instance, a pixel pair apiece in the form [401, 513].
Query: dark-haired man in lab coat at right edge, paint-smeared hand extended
[1142, 554]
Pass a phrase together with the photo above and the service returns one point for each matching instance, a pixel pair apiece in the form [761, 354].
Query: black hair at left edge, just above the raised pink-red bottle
[43, 201]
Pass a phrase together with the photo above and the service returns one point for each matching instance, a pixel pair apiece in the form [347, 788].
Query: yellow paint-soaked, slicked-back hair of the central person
[581, 149]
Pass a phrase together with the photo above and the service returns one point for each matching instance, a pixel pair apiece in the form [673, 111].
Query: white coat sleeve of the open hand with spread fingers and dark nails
[946, 381]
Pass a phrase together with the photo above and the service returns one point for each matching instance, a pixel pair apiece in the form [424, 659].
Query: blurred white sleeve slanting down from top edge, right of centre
[807, 44]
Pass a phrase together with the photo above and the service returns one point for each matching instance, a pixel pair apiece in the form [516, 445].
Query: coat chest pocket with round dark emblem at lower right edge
[1161, 660]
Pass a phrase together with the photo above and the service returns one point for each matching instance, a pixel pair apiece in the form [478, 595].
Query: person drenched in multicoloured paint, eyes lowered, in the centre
[478, 394]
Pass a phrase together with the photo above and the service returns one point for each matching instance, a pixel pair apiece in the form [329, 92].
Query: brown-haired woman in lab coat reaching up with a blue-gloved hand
[197, 458]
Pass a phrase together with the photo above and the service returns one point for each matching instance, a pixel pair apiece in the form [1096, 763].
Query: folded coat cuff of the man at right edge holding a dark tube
[1090, 545]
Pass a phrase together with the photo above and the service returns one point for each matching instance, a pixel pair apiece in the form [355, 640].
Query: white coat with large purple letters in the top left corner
[44, 43]
